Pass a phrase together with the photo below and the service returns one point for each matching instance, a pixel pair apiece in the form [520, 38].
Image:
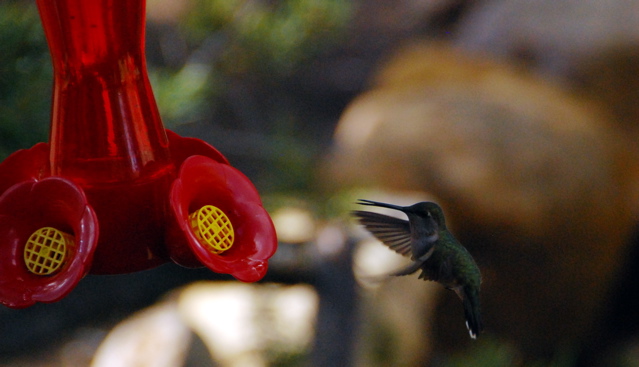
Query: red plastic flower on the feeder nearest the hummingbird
[203, 181]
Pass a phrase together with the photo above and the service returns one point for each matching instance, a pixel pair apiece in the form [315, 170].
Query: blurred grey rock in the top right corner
[548, 35]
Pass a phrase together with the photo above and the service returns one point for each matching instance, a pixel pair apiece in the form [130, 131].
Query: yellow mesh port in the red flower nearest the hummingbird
[213, 228]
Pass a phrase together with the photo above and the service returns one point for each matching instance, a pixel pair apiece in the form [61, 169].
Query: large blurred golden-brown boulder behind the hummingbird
[537, 183]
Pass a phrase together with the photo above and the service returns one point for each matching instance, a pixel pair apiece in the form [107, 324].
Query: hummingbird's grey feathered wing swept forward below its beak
[393, 232]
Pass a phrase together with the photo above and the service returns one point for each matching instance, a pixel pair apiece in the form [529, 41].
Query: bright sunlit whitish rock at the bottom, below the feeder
[235, 324]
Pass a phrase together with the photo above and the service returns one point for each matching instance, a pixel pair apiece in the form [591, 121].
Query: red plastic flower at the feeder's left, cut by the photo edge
[27, 207]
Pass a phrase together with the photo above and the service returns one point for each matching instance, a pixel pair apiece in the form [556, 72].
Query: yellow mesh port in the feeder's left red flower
[46, 250]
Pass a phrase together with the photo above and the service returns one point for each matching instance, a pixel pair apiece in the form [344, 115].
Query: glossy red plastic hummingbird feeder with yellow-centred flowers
[113, 191]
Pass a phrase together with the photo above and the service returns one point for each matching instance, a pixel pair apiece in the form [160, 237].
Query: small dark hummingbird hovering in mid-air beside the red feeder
[433, 249]
